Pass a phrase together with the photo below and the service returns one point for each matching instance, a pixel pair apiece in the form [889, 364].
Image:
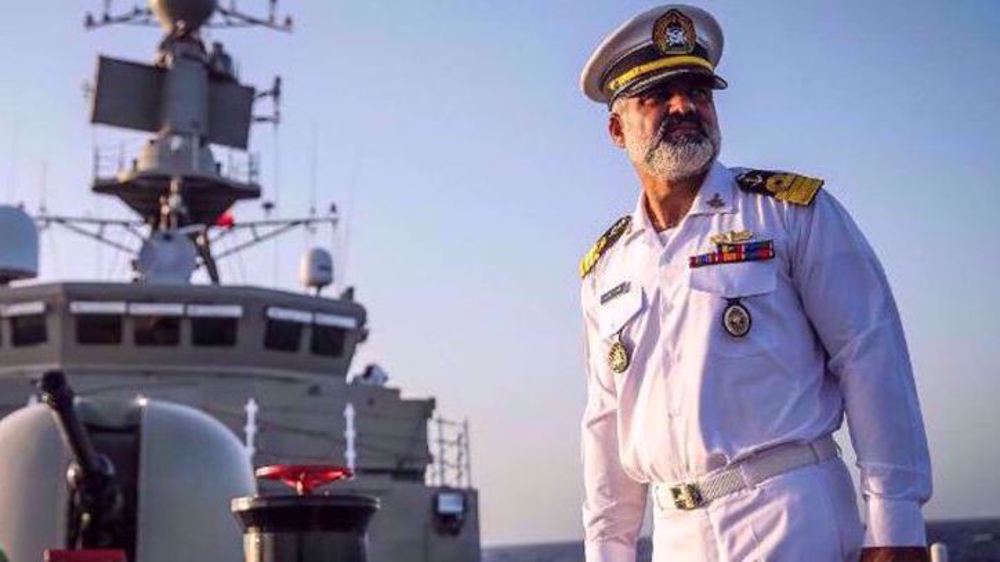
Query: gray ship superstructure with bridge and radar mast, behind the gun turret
[272, 365]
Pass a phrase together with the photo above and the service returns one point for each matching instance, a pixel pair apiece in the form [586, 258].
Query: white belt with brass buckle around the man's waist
[744, 474]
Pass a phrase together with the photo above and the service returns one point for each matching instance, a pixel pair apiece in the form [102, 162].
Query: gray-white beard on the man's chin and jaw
[676, 160]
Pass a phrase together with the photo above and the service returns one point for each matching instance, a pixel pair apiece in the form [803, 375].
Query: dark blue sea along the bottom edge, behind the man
[968, 540]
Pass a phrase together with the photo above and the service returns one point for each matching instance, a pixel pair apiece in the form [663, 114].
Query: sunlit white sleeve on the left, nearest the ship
[614, 503]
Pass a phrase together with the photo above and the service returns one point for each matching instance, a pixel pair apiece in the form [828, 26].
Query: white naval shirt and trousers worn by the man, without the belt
[825, 340]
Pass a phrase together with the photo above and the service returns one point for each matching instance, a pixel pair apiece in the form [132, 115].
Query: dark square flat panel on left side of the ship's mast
[128, 95]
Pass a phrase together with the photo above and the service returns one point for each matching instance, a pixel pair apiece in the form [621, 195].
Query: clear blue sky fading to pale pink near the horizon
[471, 175]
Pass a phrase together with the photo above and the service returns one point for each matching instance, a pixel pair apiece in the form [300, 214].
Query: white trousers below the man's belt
[808, 514]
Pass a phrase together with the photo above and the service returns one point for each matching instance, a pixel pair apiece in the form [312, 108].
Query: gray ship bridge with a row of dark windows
[129, 327]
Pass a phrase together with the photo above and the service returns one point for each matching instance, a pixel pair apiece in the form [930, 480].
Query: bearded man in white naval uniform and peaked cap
[732, 321]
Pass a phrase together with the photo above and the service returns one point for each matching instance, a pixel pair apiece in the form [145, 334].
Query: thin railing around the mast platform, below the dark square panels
[114, 160]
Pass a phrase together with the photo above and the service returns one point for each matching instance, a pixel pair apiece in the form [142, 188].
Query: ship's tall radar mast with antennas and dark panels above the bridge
[190, 99]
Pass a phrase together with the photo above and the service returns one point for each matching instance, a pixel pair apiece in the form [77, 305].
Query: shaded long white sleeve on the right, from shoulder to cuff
[849, 303]
